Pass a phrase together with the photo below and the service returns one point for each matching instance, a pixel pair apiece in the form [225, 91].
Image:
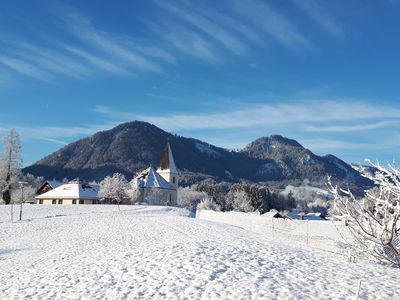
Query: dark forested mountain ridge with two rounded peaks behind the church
[132, 147]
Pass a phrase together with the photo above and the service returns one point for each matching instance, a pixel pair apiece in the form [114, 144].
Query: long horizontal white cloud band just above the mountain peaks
[307, 114]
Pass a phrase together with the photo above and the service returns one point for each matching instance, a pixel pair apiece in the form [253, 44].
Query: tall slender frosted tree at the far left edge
[10, 165]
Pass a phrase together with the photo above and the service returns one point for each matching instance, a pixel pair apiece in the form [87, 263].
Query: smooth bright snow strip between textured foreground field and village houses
[323, 235]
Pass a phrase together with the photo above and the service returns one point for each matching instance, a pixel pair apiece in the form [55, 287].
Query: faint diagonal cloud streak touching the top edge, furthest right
[321, 16]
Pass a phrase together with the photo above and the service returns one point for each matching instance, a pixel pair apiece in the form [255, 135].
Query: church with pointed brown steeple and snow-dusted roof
[158, 187]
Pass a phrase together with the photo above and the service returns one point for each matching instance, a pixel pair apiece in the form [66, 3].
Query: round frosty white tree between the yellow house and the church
[113, 188]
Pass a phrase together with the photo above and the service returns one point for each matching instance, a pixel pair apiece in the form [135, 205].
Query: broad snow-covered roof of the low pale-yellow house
[72, 190]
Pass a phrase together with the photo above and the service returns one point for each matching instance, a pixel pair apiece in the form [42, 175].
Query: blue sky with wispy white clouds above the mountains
[325, 73]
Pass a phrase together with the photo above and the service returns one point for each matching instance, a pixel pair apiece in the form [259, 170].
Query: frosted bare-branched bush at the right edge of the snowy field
[374, 219]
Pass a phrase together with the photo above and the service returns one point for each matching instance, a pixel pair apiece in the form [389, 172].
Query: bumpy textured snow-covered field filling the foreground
[98, 252]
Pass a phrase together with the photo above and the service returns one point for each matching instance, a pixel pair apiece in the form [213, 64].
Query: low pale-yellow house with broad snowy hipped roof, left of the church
[74, 192]
